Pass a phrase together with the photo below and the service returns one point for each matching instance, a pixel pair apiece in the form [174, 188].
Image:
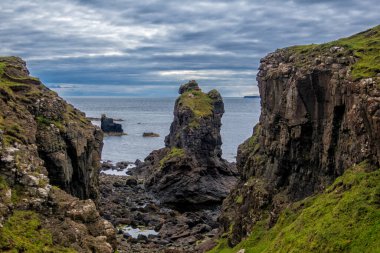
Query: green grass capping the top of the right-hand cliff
[364, 46]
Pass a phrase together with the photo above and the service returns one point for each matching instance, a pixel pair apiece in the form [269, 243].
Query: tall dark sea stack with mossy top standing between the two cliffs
[190, 169]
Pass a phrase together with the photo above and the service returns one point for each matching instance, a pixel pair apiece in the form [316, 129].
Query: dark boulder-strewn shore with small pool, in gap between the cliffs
[125, 202]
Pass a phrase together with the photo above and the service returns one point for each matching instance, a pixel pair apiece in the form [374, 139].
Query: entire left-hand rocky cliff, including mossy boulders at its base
[44, 142]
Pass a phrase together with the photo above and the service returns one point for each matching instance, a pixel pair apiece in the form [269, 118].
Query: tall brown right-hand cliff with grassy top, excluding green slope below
[320, 115]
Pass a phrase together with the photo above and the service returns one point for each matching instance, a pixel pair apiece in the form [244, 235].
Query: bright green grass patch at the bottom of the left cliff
[22, 232]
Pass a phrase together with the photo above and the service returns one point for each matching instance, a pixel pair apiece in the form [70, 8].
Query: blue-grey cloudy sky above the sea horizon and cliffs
[148, 48]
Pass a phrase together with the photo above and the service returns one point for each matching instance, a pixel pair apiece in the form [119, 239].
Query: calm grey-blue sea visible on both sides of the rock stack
[155, 115]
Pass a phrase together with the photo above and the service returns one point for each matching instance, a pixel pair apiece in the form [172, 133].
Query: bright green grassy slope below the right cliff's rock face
[344, 218]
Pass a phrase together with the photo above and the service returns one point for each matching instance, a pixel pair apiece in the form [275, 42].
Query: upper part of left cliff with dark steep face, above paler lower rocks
[66, 141]
